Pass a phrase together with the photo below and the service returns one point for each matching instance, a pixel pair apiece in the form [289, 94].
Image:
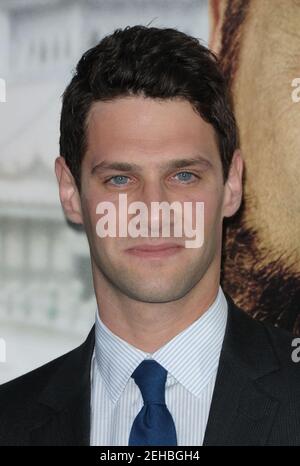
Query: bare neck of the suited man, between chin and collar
[149, 326]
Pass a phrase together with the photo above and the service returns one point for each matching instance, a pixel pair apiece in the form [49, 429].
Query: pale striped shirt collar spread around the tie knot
[191, 357]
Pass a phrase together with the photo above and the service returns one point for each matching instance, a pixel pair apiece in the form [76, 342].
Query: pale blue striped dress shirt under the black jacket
[191, 359]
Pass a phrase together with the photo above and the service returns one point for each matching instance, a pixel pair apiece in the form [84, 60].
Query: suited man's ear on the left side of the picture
[68, 192]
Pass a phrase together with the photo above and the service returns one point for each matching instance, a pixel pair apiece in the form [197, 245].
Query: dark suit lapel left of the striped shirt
[63, 411]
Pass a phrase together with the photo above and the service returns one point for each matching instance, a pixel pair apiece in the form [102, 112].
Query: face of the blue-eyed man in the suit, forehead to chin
[149, 135]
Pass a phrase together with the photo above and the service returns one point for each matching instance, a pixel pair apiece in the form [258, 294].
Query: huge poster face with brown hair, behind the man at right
[258, 43]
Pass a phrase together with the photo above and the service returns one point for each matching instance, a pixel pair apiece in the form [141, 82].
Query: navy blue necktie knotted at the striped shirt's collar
[154, 424]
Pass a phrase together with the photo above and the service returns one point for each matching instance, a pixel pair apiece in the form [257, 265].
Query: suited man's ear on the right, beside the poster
[233, 190]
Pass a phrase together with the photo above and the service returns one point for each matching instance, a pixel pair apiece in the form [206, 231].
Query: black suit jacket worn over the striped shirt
[256, 400]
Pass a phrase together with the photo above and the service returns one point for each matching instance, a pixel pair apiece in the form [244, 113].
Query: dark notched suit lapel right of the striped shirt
[242, 412]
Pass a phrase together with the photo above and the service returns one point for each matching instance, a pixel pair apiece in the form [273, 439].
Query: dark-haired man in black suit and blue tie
[171, 360]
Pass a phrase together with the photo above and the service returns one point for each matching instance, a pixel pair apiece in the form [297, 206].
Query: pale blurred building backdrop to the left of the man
[47, 305]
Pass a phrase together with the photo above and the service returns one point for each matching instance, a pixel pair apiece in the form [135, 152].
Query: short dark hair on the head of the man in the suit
[153, 62]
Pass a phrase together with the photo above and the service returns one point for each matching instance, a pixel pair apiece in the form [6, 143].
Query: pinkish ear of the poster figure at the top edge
[216, 10]
